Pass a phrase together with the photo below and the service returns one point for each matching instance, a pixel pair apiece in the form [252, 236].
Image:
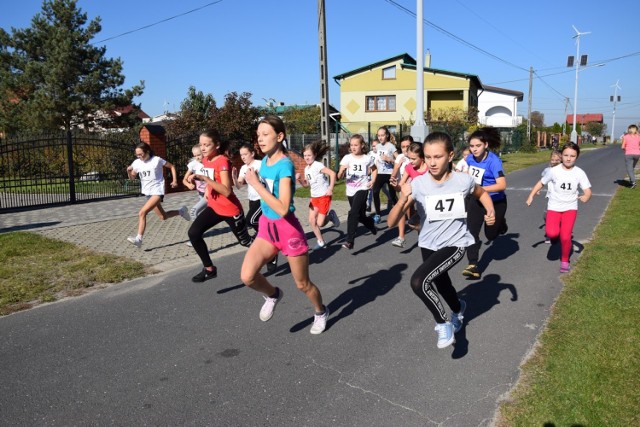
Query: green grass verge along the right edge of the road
[585, 370]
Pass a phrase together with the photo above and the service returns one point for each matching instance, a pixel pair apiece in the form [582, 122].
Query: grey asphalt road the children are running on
[164, 351]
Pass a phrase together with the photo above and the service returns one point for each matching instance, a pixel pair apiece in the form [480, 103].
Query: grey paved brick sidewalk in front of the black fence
[105, 225]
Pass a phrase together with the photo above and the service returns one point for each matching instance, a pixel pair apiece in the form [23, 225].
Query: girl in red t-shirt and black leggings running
[222, 203]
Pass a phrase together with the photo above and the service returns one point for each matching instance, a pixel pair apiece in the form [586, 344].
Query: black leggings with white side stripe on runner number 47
[435, 270]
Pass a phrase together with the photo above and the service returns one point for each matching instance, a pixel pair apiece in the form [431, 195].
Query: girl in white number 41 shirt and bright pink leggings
[562, 207]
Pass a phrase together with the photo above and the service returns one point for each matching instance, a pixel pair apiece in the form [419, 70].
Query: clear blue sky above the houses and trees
[269, 48]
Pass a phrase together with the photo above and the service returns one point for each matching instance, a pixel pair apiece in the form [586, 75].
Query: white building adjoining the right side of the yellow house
[499, 107]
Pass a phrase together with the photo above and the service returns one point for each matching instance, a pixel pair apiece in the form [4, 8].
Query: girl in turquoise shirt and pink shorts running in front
[279, 228]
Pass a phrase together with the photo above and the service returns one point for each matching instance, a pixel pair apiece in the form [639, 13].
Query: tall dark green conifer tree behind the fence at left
[56, 77]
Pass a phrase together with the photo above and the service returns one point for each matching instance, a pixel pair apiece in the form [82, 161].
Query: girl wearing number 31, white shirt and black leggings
[357, 167]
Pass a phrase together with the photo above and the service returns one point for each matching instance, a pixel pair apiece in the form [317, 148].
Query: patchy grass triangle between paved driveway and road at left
[35, 269]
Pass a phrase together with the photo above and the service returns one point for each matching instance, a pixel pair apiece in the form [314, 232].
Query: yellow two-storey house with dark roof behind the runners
[384, 93]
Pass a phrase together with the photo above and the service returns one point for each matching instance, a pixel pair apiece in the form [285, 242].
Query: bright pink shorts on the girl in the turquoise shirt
[286, 234]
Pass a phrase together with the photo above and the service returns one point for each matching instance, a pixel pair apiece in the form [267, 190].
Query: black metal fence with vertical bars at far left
[64, 168]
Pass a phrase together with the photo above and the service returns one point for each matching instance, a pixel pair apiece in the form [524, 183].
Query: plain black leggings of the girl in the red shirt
[207, 219]
